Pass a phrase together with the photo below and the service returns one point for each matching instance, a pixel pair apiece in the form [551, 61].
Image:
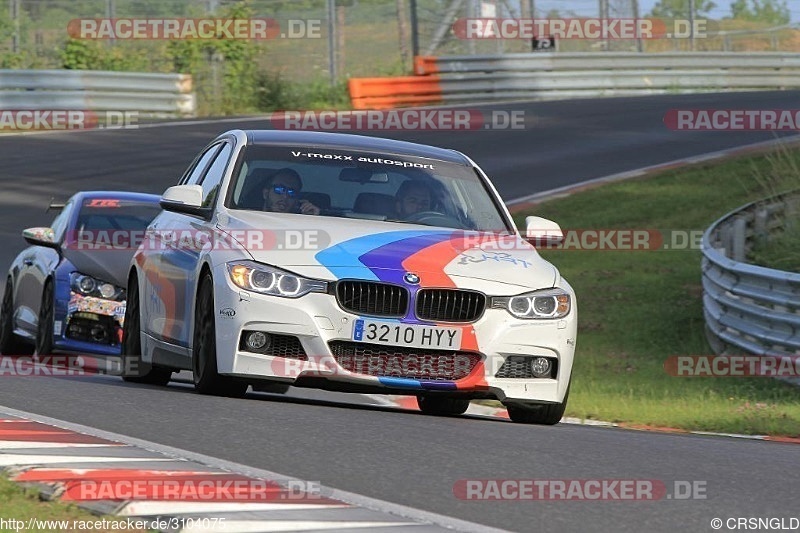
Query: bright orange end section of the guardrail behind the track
[387, 93]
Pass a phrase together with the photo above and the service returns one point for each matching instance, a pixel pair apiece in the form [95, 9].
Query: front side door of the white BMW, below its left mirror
[162, 290]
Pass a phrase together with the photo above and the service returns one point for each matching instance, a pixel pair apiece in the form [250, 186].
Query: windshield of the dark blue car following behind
[115, 214]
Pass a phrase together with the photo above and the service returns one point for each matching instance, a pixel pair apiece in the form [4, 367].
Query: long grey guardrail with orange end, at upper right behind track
[542, 76]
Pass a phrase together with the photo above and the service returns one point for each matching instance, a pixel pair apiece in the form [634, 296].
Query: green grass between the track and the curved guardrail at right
[637, 308]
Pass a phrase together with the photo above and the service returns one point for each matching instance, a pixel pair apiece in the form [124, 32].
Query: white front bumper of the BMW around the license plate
[316, 320]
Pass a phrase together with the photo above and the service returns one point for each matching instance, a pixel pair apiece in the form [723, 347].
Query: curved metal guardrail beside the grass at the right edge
[749, 308]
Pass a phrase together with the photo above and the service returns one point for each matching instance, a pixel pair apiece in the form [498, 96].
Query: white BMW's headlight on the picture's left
[265, 279]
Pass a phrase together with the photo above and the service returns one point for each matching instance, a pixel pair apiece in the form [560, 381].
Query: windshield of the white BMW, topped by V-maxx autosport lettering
[364, 185]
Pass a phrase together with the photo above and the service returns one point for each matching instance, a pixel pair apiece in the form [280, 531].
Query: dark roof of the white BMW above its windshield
[346, 141]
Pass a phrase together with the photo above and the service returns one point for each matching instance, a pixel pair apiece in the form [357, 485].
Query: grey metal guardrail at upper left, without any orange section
[92, 90]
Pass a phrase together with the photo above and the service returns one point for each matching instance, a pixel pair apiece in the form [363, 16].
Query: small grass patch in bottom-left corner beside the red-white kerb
[24, 505]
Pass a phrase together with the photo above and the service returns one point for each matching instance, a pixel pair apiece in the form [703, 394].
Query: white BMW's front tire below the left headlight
[204, 347]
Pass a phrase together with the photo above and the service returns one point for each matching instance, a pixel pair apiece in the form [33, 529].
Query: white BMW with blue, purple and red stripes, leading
[409, 277]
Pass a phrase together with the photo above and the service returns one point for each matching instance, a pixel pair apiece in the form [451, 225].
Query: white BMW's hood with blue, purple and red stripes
[336, 248]
